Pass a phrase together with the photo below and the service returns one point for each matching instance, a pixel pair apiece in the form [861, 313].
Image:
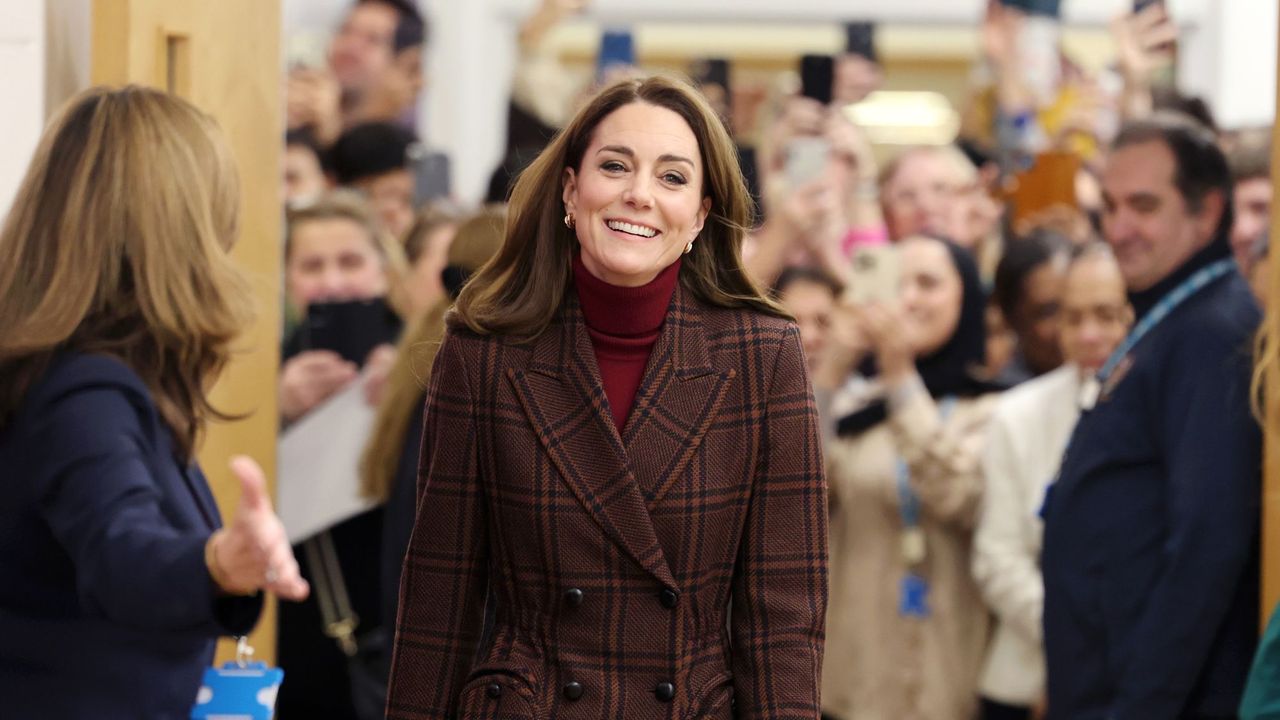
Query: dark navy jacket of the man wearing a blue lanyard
[1151, 604]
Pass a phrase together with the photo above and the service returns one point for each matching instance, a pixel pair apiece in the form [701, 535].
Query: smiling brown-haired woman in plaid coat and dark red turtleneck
[620, 450]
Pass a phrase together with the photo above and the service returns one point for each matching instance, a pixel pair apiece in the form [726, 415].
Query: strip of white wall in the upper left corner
[22, 85]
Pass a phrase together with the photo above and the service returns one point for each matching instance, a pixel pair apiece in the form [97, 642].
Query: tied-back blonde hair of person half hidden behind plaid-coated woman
[477, 241]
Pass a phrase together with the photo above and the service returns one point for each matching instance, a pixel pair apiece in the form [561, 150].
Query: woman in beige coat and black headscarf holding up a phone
[907, 627]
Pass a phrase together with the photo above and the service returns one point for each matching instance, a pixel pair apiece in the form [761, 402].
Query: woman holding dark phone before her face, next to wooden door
[340, 268]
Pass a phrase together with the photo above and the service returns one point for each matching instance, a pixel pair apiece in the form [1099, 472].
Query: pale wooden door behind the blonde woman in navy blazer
[225, 57]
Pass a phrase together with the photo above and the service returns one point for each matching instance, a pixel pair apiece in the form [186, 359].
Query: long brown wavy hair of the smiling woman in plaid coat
[520, 291]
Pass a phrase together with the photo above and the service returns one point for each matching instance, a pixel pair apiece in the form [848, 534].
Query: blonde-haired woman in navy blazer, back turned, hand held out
[121, 307]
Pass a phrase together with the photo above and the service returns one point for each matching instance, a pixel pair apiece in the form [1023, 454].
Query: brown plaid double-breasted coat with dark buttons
[675, 571]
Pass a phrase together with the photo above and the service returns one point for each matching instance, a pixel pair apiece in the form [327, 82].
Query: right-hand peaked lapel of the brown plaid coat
[676, 402]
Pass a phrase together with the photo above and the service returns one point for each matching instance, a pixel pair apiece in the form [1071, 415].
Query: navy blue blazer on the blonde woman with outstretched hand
[107, 609]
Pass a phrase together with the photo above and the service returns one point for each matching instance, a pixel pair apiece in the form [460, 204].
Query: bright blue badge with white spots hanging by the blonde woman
[240, 690]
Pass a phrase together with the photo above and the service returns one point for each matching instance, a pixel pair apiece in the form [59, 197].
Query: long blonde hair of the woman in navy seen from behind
[117, 245]
